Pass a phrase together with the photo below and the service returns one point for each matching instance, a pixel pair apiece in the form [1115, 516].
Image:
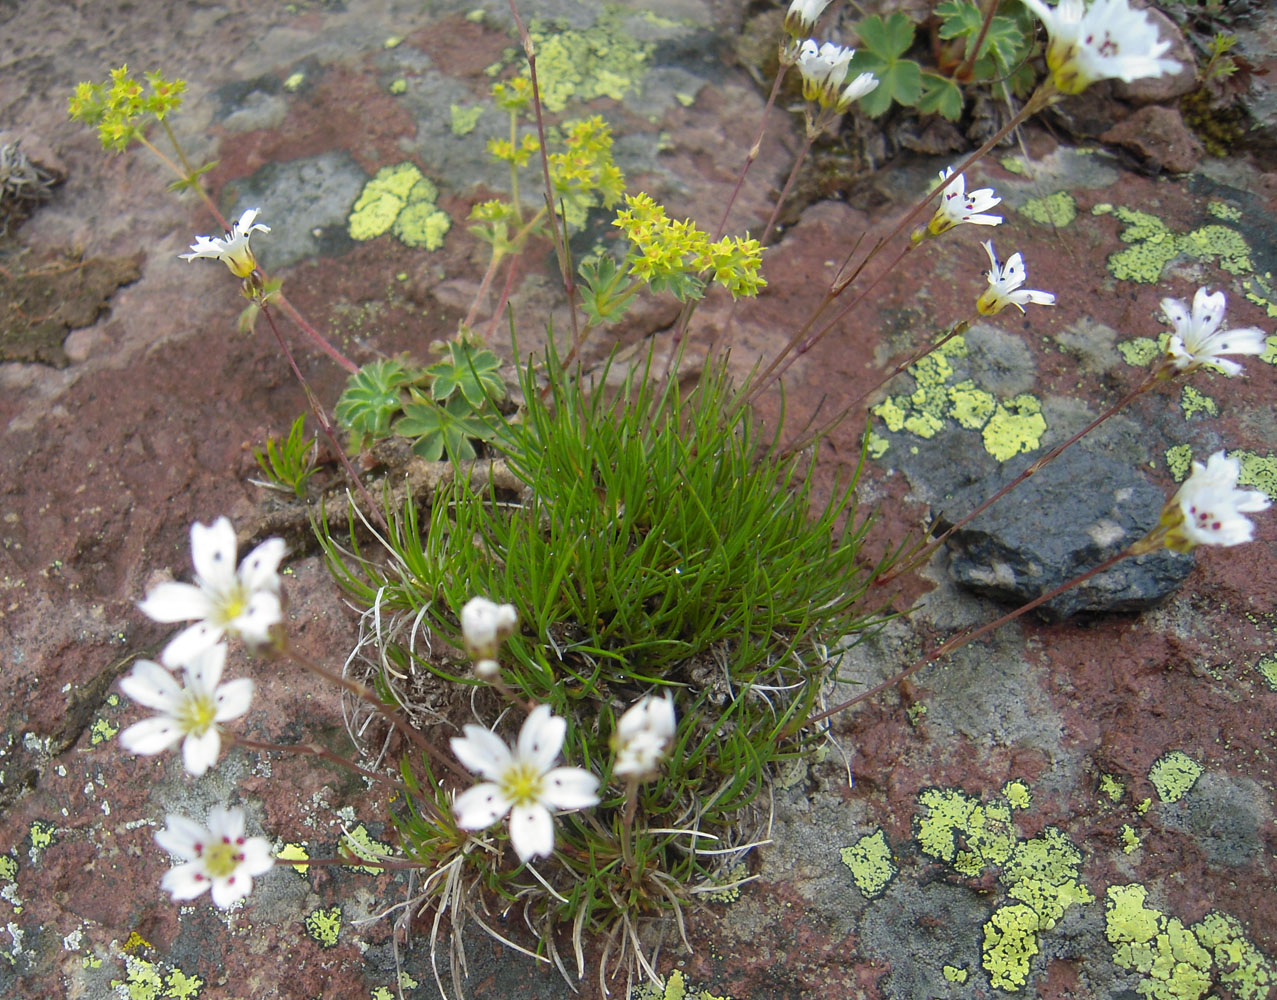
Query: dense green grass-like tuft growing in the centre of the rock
[657, 545]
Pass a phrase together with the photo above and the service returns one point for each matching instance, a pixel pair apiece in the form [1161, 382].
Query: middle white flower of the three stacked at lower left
[191, 713]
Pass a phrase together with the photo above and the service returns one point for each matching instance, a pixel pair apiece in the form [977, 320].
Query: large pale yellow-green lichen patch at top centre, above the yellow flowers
[602, 62]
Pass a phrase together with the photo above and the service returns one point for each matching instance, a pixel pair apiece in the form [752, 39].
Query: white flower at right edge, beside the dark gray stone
[1207, 509]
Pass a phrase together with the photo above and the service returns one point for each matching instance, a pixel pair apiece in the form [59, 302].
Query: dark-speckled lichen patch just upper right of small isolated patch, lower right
[963, 832]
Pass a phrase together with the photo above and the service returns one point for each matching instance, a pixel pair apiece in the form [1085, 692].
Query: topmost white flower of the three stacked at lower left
[245, 603]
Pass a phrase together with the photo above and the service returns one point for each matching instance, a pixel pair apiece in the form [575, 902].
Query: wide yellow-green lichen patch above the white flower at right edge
[1154, 246]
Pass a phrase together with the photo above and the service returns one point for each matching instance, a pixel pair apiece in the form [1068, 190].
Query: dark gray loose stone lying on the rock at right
[1071, 517]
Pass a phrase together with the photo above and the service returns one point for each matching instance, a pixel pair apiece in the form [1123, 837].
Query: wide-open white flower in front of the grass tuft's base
[522, 784]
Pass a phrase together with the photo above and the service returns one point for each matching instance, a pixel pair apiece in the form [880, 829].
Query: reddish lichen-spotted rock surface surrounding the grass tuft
[108, 462]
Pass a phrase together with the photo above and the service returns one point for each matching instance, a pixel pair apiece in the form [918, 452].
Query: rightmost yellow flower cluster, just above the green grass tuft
[675, 256]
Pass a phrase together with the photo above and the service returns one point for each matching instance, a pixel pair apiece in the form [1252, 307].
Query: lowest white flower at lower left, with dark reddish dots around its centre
[219, 858]
